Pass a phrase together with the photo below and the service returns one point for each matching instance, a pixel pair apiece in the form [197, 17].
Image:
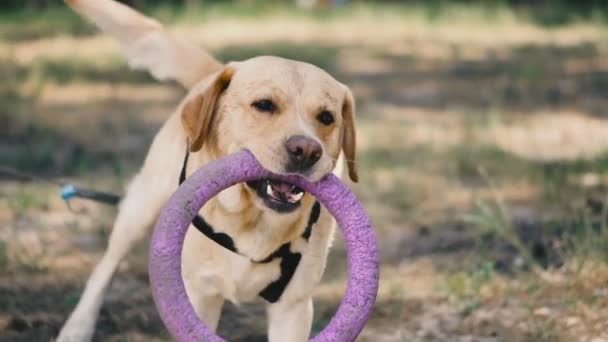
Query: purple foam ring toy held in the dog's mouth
[167, 241]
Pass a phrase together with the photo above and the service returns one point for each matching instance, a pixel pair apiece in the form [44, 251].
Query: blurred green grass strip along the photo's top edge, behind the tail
[58, 20]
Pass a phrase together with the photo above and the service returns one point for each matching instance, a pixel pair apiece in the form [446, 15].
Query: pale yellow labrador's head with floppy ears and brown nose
[294, 117]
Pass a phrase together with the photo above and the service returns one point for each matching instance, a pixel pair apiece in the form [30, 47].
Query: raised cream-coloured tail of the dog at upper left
[147, 44]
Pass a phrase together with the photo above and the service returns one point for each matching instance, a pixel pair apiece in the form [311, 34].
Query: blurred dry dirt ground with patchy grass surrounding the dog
[482, 158]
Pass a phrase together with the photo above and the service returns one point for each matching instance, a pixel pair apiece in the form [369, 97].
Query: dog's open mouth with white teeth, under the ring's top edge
[277, 195]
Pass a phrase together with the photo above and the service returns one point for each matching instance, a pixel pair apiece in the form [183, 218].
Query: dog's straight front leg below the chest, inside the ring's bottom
[290, 321]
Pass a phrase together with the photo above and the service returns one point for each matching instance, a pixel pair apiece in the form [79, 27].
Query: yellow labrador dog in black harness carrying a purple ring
[264, 239]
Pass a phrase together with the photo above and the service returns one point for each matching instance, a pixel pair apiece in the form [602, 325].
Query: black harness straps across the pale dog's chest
[289, 260]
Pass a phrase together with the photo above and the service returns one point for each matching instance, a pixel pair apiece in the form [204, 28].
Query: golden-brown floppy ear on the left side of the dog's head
[198, 113]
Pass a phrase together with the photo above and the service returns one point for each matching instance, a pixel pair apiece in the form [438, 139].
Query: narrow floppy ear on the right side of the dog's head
[349, 134]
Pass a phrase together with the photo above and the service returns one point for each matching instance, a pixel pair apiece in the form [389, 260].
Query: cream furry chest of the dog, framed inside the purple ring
[256, 263]
